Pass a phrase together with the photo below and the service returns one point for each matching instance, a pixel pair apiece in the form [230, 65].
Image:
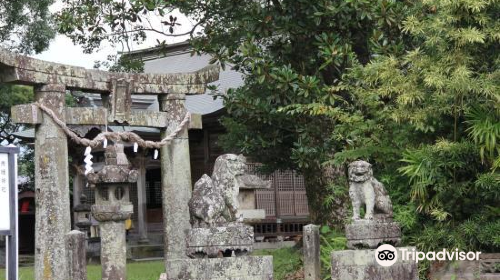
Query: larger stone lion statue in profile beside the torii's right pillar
[215, 199]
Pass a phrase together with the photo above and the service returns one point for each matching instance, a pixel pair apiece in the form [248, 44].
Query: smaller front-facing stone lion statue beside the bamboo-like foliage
[365, 190]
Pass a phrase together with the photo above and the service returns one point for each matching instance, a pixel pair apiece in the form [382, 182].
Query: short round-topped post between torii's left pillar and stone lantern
[77, 263]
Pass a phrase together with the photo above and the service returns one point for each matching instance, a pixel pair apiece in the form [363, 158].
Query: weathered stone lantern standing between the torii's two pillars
[112, 208]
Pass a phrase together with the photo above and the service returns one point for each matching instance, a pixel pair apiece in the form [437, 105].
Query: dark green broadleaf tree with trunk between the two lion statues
[292, 52]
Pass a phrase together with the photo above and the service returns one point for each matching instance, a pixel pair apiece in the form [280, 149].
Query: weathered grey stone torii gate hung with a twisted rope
[51, 81]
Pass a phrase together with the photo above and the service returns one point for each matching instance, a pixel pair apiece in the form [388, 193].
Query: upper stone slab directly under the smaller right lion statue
[371, 233]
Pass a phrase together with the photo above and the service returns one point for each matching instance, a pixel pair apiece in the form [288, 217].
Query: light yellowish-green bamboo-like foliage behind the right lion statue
[430, 121]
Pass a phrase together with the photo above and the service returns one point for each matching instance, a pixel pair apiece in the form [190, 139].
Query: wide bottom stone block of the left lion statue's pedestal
[242, 268]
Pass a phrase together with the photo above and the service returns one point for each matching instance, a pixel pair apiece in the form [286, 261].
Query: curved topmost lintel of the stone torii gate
[20, 69]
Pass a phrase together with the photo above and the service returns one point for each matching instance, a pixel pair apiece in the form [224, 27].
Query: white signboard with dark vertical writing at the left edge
[4, 193]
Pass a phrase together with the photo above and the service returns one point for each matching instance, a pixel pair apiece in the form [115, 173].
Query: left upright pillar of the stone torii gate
[52, 219]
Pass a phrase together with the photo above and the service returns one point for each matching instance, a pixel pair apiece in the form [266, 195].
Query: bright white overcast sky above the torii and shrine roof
[62, 49]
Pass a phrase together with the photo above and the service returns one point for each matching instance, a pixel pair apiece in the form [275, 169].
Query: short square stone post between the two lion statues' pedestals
[312, 262]
